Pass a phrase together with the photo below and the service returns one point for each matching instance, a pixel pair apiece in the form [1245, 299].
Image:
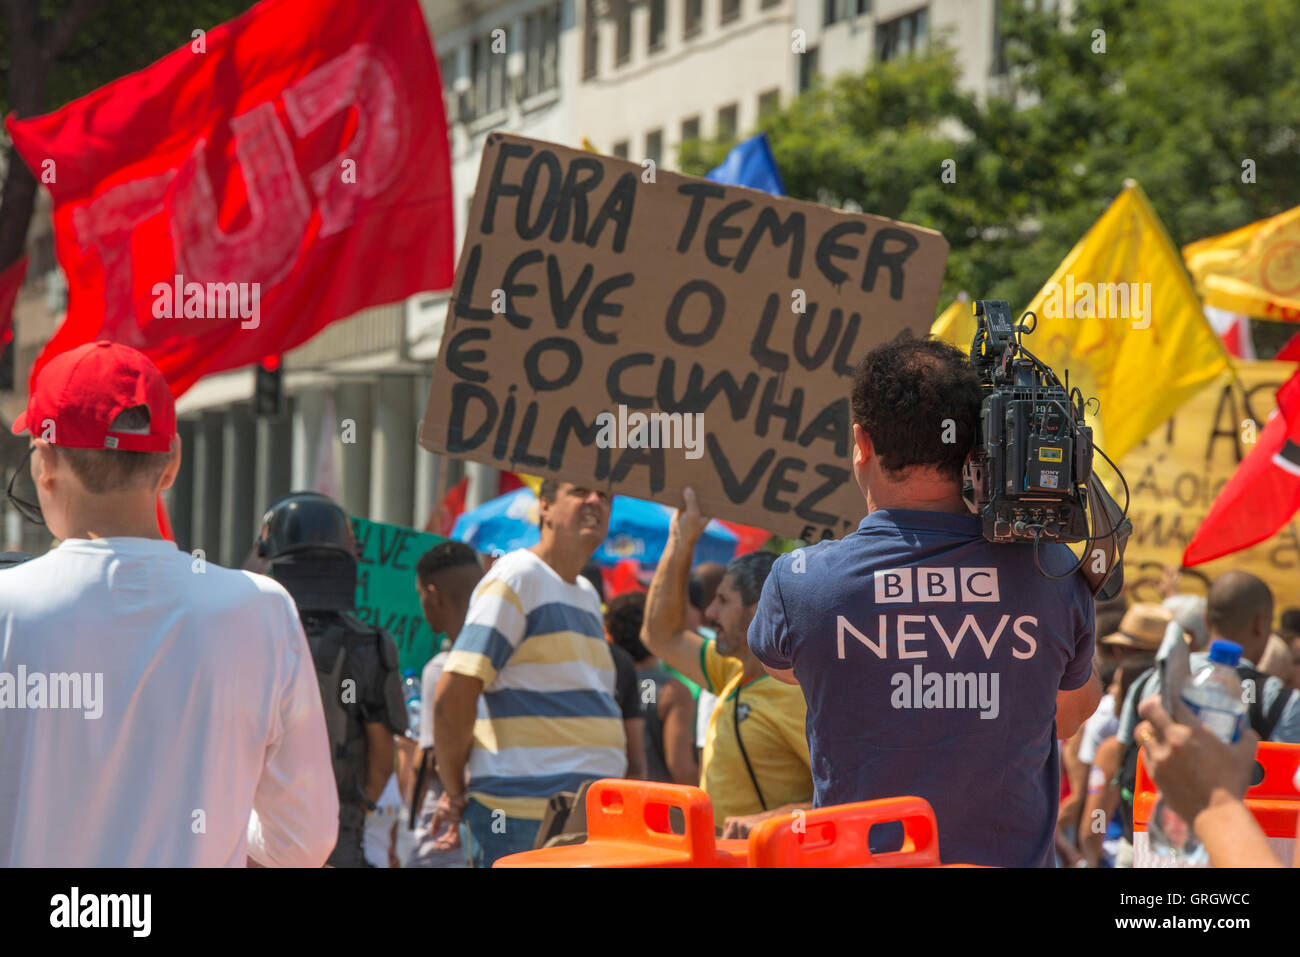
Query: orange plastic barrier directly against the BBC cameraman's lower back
[837, 837]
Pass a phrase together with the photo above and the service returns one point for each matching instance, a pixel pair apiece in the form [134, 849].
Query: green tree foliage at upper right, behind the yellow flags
[1182, 96]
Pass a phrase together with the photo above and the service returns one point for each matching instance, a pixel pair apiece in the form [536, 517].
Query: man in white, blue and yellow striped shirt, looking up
[526, 704]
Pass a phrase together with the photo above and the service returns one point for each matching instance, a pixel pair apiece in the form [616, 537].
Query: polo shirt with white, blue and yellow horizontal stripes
[548, 718]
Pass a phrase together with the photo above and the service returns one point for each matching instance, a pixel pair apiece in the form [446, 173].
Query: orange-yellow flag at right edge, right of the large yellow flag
[1254, 271]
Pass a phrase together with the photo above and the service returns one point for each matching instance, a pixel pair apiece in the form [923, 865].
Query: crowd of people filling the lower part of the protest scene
[248, 717]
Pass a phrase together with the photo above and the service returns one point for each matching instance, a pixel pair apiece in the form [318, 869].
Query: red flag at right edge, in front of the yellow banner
[1263, 493]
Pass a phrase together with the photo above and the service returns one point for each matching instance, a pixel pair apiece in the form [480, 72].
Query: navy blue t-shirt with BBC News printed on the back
[931, 661]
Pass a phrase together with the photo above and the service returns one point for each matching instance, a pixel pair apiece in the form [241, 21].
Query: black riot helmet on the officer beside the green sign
[309, 542]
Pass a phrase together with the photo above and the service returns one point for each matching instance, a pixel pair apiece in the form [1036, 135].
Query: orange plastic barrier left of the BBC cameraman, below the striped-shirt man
[629, 826]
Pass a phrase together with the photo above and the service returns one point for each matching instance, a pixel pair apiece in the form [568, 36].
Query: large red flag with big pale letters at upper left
[227, 205]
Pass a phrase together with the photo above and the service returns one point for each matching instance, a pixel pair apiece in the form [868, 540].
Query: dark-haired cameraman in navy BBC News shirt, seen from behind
[933, 661]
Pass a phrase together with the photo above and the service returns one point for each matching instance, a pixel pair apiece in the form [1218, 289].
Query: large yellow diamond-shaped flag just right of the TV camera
[1121, 315]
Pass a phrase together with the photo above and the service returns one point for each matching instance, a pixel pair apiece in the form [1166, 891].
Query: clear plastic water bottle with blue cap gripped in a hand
[1215, 699]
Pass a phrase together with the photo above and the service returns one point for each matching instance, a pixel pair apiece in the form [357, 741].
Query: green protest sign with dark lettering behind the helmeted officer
[385, 588]
